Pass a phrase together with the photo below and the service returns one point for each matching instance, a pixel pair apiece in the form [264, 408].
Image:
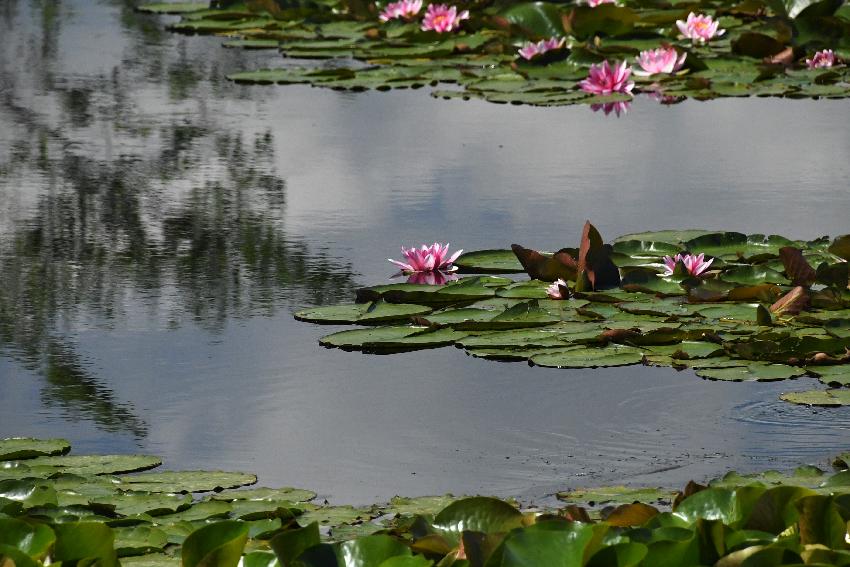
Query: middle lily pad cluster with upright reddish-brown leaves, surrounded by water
[769, 308]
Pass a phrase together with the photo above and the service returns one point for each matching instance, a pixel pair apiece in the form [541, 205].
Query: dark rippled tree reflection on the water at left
[121, 206]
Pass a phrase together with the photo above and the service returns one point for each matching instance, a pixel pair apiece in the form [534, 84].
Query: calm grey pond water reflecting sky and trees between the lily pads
[159, 225]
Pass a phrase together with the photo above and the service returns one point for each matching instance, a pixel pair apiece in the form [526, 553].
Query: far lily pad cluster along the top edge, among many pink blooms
[762, 53]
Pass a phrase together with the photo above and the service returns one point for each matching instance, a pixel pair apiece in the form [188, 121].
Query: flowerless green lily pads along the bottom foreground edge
[50, 515]
